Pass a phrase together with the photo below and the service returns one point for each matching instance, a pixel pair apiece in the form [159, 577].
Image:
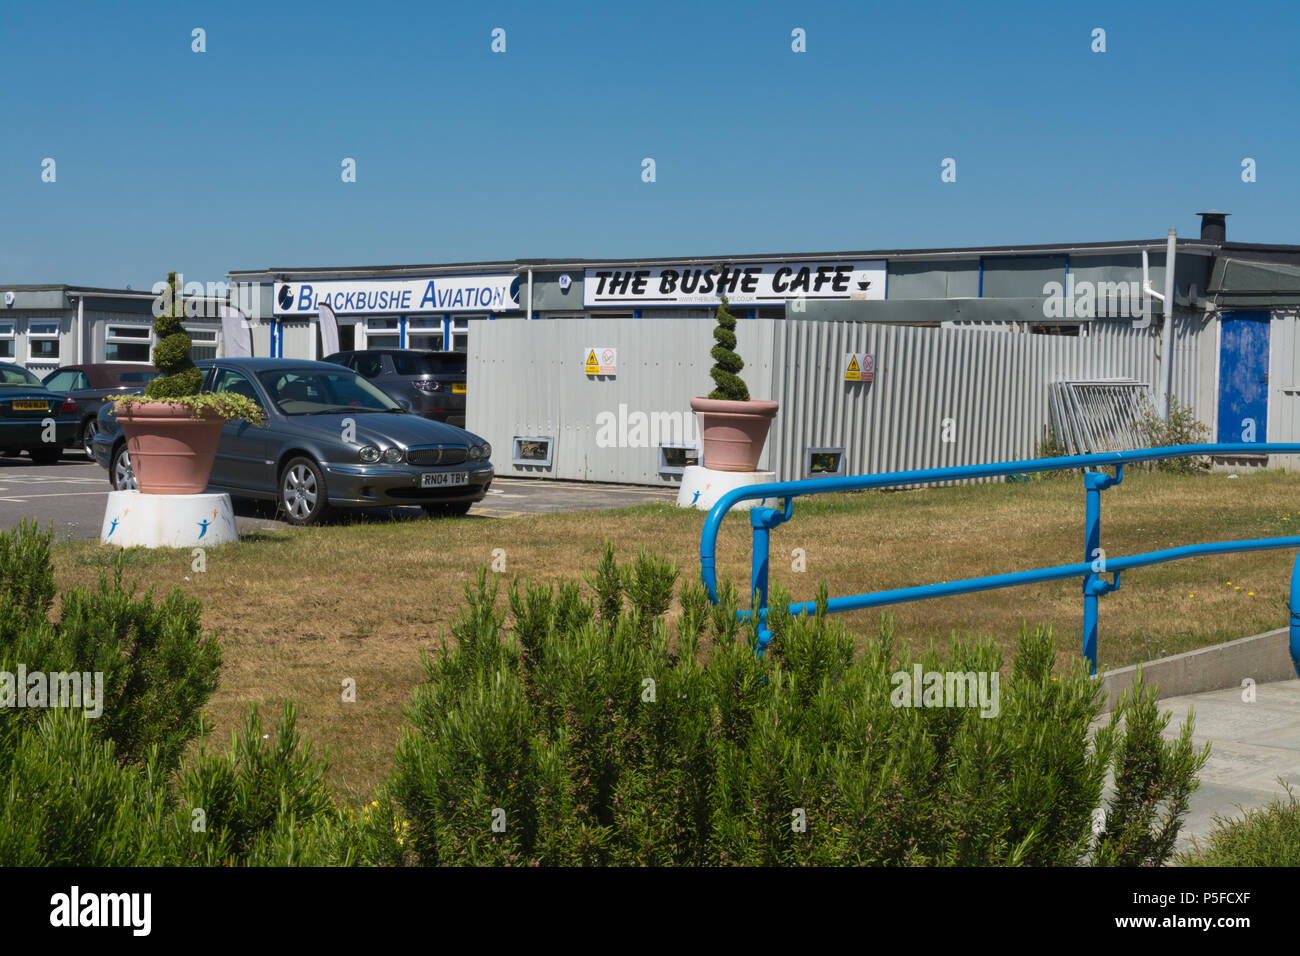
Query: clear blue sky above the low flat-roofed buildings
[231, 159]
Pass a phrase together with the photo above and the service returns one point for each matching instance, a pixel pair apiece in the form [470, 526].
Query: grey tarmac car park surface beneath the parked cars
[72, 496]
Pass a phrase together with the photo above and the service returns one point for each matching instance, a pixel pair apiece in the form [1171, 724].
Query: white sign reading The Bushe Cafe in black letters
[755, 284]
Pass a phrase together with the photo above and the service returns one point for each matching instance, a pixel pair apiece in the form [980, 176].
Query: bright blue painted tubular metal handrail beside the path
[1093, 569]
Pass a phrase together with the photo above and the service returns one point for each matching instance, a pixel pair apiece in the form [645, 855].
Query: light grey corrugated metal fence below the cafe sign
[941, 397]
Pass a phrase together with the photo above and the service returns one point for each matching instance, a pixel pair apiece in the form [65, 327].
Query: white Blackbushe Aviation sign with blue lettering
[497, 293]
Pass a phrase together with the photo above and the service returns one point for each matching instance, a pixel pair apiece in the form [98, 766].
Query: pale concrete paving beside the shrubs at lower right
[1253, 746]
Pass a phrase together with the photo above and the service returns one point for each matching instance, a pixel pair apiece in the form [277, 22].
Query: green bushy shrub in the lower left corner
[110, 790]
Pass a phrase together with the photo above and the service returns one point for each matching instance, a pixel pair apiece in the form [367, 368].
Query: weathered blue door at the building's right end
[1243, 409]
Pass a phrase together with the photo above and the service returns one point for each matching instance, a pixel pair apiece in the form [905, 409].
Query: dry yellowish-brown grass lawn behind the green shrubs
[298, 612]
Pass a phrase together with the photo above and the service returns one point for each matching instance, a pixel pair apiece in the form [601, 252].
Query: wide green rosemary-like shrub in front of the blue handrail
[590, 733]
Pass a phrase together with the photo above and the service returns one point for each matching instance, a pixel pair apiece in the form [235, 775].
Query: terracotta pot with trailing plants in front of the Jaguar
[172, 452]
